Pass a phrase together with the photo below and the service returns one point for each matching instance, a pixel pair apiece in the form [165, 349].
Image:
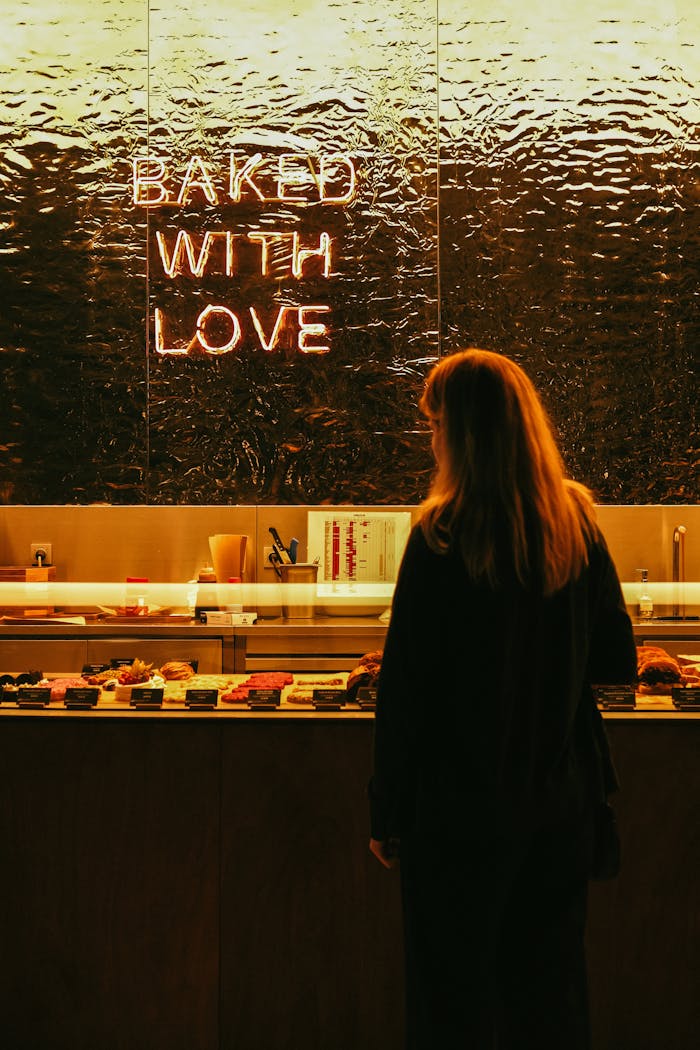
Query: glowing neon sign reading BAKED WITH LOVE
[295, 179]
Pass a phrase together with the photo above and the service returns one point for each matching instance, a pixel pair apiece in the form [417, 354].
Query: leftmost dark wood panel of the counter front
[110, 885]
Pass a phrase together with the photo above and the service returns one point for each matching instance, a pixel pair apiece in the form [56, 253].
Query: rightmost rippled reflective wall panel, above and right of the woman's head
[569, 222]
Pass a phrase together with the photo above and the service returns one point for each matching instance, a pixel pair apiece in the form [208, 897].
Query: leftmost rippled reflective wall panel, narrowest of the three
[73, 107]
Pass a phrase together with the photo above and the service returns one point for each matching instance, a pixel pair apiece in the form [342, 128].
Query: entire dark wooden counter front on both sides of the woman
[202, 881]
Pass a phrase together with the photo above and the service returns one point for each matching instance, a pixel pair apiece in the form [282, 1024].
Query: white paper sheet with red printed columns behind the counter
[356, 548]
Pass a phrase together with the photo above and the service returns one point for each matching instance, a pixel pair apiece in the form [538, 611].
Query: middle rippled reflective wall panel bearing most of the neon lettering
[296, 144]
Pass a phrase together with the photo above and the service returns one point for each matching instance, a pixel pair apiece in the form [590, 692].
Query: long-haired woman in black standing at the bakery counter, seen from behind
[491, 755]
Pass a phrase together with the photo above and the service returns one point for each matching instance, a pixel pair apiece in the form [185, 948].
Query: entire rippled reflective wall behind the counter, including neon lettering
[565, 233]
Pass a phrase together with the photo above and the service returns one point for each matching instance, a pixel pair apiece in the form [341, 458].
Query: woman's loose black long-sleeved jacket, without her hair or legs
[484, 707]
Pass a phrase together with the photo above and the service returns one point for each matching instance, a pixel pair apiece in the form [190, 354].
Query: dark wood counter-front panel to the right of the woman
[645, 928]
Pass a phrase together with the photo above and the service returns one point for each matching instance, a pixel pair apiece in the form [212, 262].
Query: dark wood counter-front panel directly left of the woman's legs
[311, 931]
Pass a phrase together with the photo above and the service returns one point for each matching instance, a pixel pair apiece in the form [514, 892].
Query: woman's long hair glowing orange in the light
[500, 495]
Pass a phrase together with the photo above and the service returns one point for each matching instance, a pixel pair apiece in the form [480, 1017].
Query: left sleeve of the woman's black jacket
[393, 785]
